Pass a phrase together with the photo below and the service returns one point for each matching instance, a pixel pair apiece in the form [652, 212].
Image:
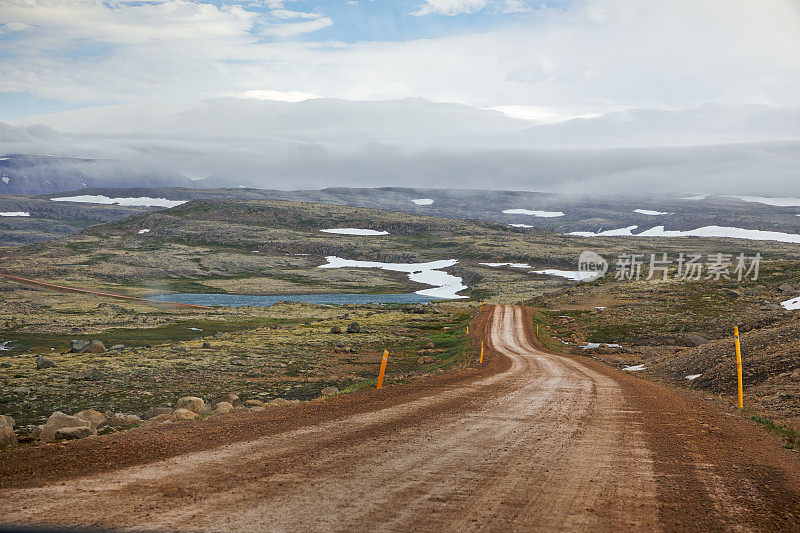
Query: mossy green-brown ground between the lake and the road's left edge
[285, 351]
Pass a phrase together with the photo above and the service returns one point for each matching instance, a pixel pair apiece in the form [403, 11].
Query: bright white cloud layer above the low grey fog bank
[592, 57]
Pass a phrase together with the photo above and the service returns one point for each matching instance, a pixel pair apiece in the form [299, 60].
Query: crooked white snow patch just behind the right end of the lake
[445, 285]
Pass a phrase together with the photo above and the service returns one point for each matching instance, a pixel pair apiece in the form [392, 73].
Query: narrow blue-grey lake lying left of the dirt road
[239, 300]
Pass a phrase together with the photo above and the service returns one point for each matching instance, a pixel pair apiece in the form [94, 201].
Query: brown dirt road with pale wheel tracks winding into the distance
[552, 443]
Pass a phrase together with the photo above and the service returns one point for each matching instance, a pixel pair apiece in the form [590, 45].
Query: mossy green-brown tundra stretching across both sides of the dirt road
[154, 355]
